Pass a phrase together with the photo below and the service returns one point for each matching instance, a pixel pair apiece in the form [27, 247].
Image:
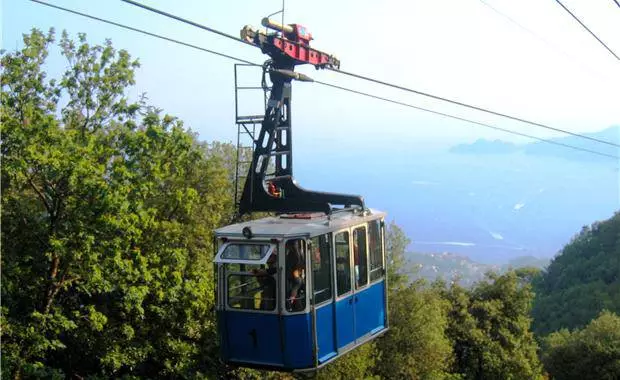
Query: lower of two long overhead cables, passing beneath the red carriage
[325, 83]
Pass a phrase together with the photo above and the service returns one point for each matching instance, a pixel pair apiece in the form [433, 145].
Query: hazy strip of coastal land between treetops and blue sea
[466, 272]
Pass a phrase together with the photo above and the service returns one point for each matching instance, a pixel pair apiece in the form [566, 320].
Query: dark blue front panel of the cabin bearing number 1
[239, 328]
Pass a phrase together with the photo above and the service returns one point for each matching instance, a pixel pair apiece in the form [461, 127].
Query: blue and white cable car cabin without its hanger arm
[296, 291]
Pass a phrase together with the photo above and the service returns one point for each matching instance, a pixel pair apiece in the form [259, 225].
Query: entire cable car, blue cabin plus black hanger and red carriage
[299, 289]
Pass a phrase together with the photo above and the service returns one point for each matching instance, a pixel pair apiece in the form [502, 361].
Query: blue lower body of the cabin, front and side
[286, 342]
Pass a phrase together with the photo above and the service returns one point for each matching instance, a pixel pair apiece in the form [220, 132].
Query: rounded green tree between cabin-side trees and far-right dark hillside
[489, 327]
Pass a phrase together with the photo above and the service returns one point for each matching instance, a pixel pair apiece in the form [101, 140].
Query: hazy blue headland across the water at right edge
[556, 149]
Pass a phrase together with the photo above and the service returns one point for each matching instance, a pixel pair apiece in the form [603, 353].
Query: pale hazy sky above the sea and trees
[459, 49]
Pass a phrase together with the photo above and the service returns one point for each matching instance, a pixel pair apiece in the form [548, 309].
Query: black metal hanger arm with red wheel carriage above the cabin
[276, 191]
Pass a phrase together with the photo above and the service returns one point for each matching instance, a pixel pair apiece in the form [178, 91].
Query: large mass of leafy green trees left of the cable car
[107, 213]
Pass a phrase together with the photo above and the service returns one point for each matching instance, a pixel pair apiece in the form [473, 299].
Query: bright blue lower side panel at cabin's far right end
[370, 309]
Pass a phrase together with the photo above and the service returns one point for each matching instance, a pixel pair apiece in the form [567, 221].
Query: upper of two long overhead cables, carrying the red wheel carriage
[399, 87]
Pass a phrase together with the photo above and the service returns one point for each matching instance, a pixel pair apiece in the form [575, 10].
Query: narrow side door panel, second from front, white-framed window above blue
[345, 311]
